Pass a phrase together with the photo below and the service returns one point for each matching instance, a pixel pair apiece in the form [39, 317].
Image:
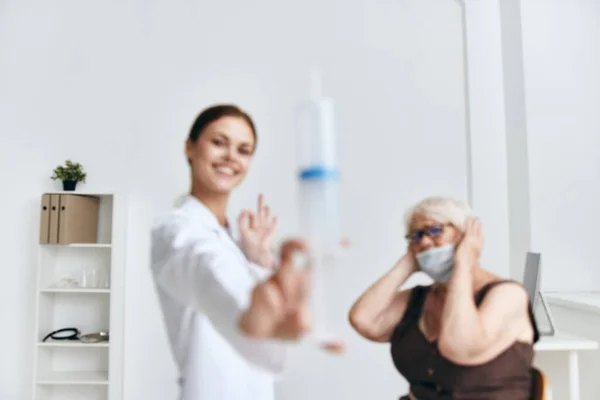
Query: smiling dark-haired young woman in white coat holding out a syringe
[228, 309]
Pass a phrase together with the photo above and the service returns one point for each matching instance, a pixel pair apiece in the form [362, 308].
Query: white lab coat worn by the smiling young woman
[204, 282]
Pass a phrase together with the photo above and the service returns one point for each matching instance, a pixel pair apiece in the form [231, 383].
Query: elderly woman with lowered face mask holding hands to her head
[470, 334]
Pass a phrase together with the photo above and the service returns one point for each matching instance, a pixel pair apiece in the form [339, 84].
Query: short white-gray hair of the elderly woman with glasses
[444, 210]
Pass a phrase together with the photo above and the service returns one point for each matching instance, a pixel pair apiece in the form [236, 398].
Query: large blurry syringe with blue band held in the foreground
[319, 207]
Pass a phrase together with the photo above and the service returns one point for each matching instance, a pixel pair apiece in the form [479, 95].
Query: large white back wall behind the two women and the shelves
[115, 85]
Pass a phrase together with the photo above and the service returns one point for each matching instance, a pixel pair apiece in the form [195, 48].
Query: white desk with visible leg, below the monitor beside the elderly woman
[572, 344]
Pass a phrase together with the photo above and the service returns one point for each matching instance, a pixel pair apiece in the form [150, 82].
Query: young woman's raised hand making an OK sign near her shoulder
[257, 234]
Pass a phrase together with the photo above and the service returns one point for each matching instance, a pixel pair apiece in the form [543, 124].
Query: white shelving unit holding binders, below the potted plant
[91, 302]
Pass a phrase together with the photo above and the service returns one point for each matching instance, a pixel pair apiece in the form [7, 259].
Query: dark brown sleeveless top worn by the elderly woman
[433, 377]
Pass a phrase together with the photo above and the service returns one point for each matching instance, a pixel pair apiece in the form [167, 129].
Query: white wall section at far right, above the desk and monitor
[561, 44]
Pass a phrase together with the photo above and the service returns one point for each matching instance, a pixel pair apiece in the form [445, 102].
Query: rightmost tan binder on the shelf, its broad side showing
[78, 219]
